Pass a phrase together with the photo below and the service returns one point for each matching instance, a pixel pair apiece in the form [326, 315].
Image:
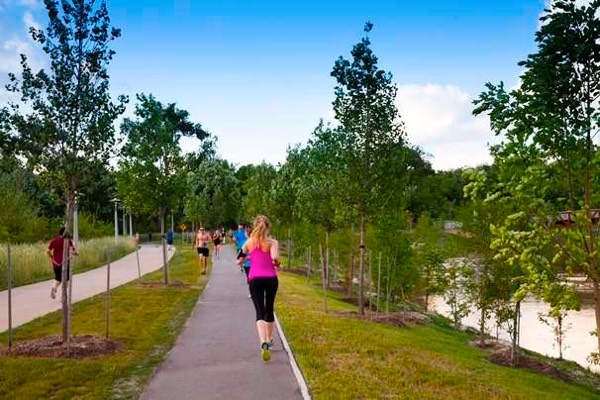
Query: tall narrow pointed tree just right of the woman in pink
[365, 106]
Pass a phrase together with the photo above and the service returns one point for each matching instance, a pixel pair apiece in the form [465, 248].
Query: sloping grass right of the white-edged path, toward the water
[346, 358]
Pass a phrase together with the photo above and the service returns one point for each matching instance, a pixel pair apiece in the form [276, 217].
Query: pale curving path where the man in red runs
[33, 301]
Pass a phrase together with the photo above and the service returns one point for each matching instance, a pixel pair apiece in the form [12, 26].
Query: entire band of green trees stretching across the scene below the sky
[358, 196]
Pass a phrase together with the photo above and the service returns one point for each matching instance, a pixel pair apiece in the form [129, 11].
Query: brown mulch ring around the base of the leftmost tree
[52, 347]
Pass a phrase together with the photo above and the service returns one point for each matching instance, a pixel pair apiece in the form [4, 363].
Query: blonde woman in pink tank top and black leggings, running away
[262, 278]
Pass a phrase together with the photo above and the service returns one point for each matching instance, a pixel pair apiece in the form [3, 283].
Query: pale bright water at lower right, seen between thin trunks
[539, 337]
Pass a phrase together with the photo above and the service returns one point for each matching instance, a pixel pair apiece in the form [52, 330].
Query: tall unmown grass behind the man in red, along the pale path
[30, 262]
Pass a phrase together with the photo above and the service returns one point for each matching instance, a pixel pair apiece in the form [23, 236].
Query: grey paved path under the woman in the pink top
[217, 355]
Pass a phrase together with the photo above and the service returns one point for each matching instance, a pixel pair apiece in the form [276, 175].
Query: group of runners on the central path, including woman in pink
[258, 258]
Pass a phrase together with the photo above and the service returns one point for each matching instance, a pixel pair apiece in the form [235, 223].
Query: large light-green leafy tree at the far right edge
[552, 120]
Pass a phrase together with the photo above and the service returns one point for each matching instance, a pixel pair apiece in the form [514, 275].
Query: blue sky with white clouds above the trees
[256, 74]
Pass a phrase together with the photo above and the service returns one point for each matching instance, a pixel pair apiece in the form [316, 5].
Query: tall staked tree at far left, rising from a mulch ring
[69, 115]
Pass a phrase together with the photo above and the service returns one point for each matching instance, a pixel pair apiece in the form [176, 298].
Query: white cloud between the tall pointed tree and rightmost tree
[438, 119]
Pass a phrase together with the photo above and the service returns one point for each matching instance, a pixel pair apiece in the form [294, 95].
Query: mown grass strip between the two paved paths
[145, 319]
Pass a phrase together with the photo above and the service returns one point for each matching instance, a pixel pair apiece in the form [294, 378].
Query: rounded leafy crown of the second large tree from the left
[151, 177]
